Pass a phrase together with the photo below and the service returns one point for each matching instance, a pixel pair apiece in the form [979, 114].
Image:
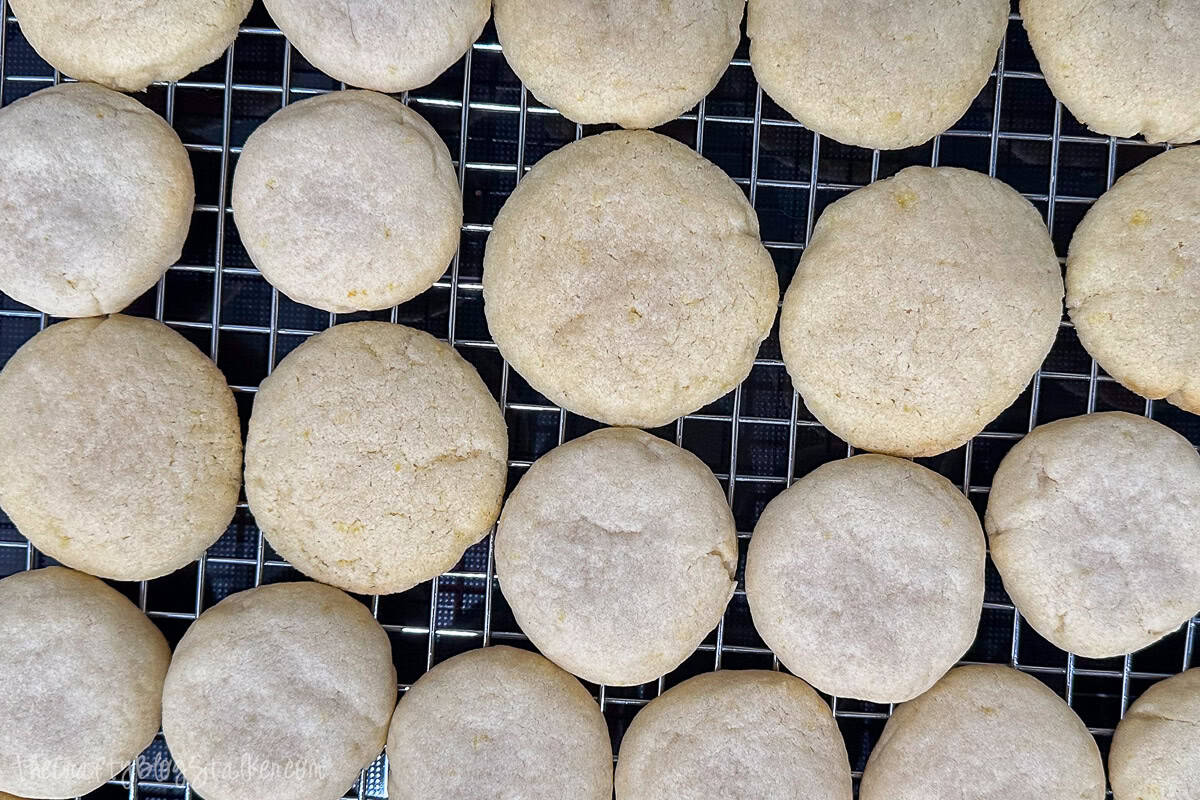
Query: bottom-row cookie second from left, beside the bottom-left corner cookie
[281, 691]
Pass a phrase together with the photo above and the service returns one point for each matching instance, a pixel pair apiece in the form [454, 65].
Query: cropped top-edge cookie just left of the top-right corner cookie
[878, 74]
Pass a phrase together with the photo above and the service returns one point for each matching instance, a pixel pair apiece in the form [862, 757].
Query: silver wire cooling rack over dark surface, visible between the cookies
[758, 441]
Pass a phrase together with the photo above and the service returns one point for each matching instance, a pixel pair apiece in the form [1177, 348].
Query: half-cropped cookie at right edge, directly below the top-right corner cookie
[1133, 279]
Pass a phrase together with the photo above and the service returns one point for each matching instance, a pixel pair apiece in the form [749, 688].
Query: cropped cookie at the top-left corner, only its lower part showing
[130, 44]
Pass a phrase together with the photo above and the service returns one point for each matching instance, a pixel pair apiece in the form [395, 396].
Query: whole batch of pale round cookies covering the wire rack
[626, 280]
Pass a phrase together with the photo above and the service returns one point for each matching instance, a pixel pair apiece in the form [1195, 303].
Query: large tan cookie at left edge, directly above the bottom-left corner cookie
[122, 449]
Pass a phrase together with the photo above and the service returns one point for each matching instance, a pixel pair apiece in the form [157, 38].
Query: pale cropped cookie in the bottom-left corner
[83, 671]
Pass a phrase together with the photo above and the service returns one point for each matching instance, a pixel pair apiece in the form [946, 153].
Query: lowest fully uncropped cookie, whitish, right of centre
[867, 578]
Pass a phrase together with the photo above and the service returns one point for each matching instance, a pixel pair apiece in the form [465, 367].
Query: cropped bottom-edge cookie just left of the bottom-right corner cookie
[992, 729]
